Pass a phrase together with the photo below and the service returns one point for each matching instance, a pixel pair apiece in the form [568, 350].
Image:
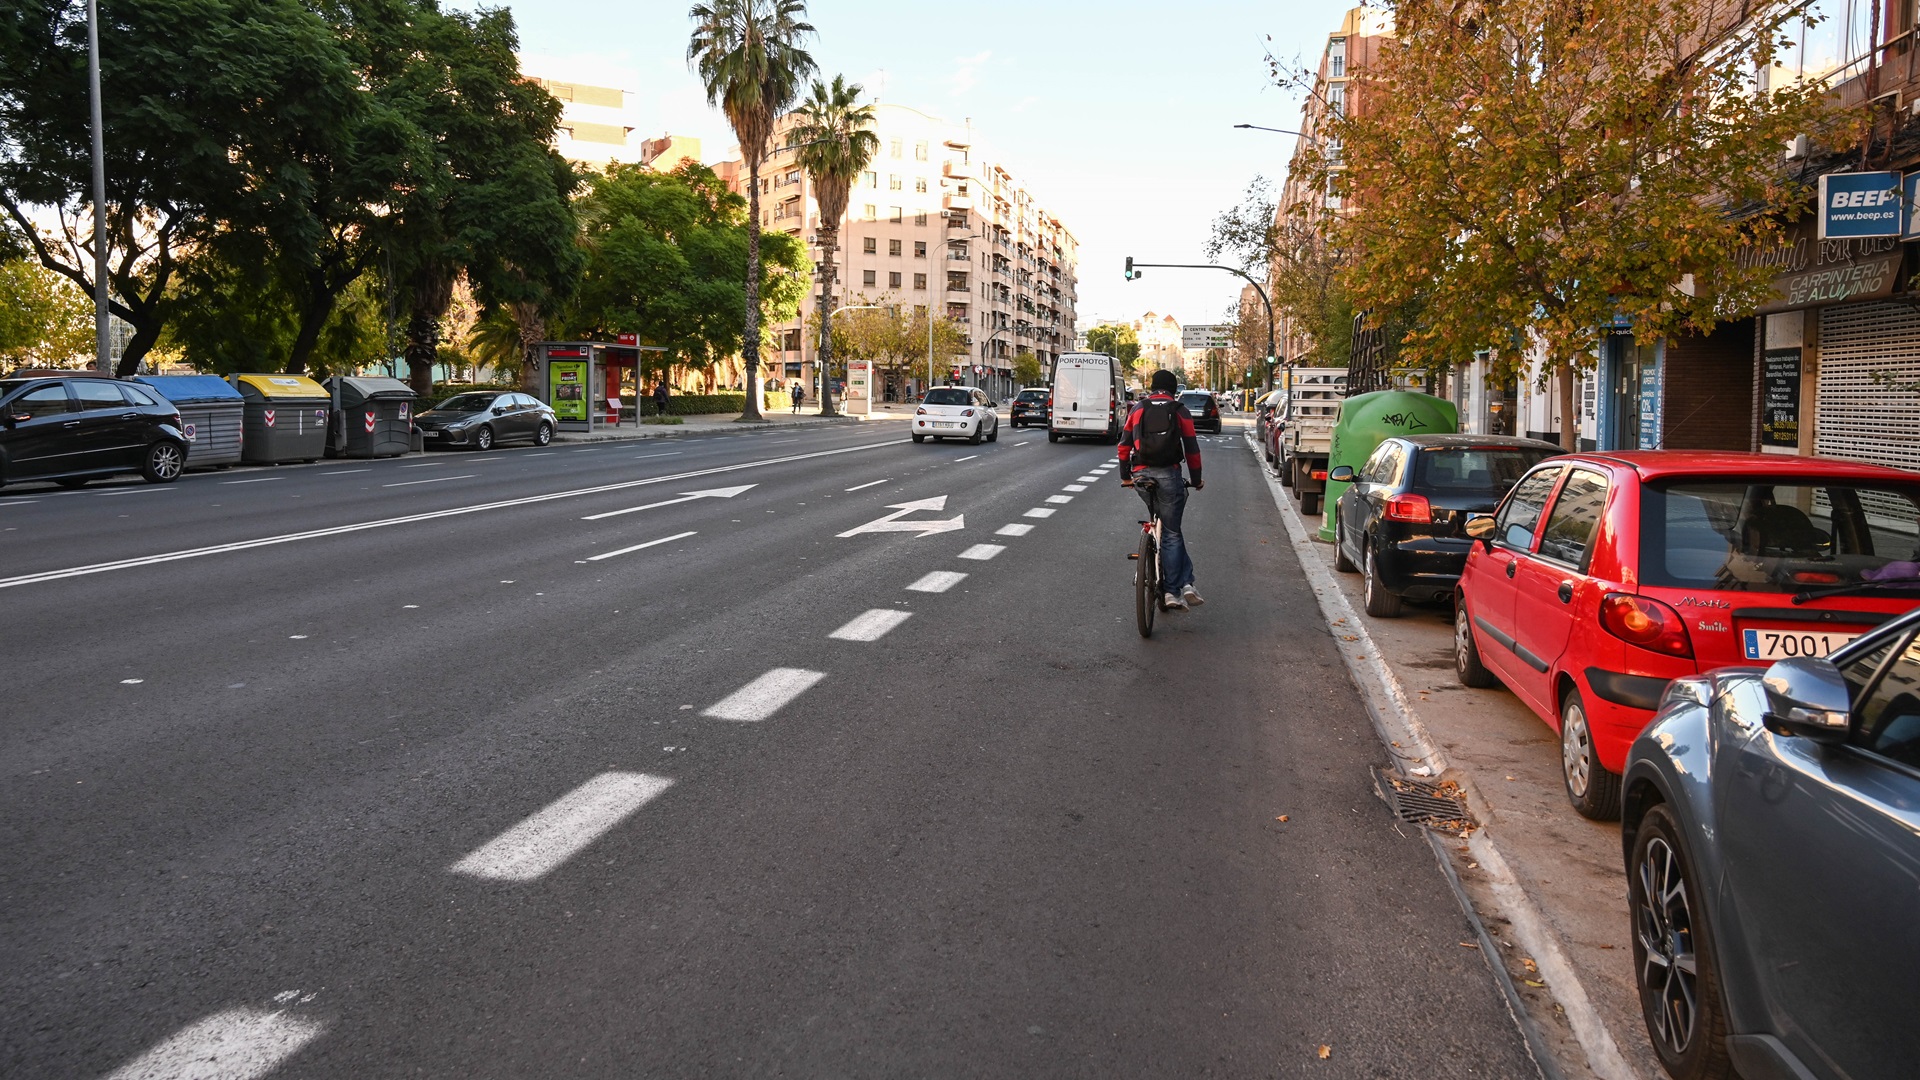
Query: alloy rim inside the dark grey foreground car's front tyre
[1669, 977]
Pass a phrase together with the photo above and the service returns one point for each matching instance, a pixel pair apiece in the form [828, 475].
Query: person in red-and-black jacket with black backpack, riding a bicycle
[1157, 437]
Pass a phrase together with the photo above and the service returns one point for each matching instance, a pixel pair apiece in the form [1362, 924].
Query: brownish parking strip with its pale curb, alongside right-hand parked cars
[1547, 881]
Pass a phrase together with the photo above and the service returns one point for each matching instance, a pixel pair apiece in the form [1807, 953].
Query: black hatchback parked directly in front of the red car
[1404, 518]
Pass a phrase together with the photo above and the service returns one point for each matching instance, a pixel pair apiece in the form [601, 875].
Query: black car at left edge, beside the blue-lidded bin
[72, 430]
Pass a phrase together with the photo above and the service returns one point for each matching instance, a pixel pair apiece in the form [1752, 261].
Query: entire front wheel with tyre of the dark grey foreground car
[1675, 966]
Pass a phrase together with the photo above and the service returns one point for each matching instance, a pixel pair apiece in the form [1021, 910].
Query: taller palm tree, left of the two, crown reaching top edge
[748, 55]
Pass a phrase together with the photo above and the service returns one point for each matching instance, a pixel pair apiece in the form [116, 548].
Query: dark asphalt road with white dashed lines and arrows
[421, 768]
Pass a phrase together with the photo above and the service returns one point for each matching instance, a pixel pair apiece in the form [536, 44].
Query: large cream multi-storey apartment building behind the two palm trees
[938, 224]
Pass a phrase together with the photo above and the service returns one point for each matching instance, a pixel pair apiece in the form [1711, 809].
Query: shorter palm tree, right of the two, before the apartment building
[836, 141]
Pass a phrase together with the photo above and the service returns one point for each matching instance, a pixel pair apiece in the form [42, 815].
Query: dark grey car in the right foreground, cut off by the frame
[1773, 845]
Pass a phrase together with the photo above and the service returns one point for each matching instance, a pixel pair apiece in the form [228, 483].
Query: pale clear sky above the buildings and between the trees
[1116, 114]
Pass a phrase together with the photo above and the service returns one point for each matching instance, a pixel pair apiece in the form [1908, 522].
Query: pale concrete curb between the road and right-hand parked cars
[1408, 743]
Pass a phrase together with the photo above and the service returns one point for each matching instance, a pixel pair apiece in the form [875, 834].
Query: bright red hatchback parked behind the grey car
[1606, 576]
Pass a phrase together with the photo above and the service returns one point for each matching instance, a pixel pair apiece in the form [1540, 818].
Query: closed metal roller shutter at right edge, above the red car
[1854, 416]
